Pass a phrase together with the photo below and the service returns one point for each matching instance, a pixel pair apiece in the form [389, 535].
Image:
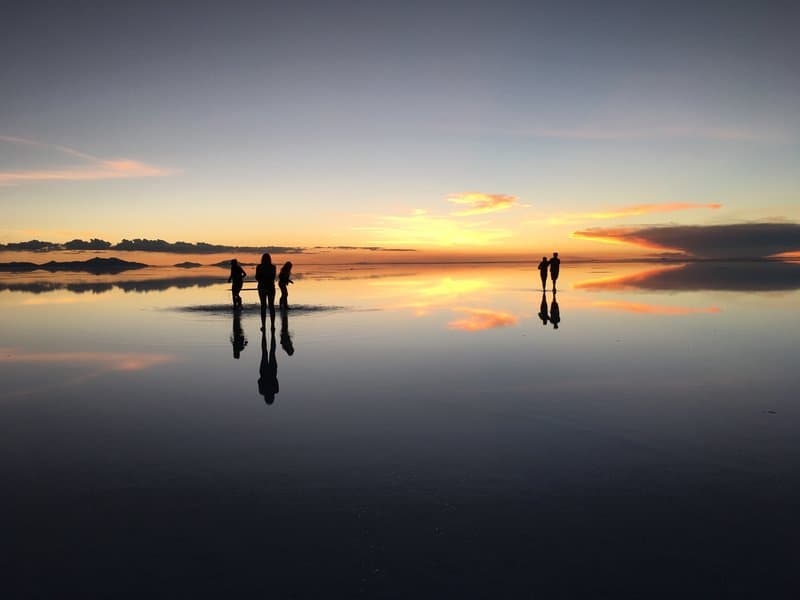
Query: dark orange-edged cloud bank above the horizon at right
[745, 240]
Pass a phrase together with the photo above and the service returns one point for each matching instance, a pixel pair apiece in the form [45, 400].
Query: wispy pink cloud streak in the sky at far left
[92, 167]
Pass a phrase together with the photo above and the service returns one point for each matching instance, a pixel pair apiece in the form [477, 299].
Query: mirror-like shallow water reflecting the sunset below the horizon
[407, 432]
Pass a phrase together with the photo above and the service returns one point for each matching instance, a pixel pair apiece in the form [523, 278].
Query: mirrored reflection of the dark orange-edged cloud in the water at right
[756, 276]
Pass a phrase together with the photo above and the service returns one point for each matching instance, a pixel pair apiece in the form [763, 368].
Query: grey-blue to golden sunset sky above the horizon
[455, 126]
